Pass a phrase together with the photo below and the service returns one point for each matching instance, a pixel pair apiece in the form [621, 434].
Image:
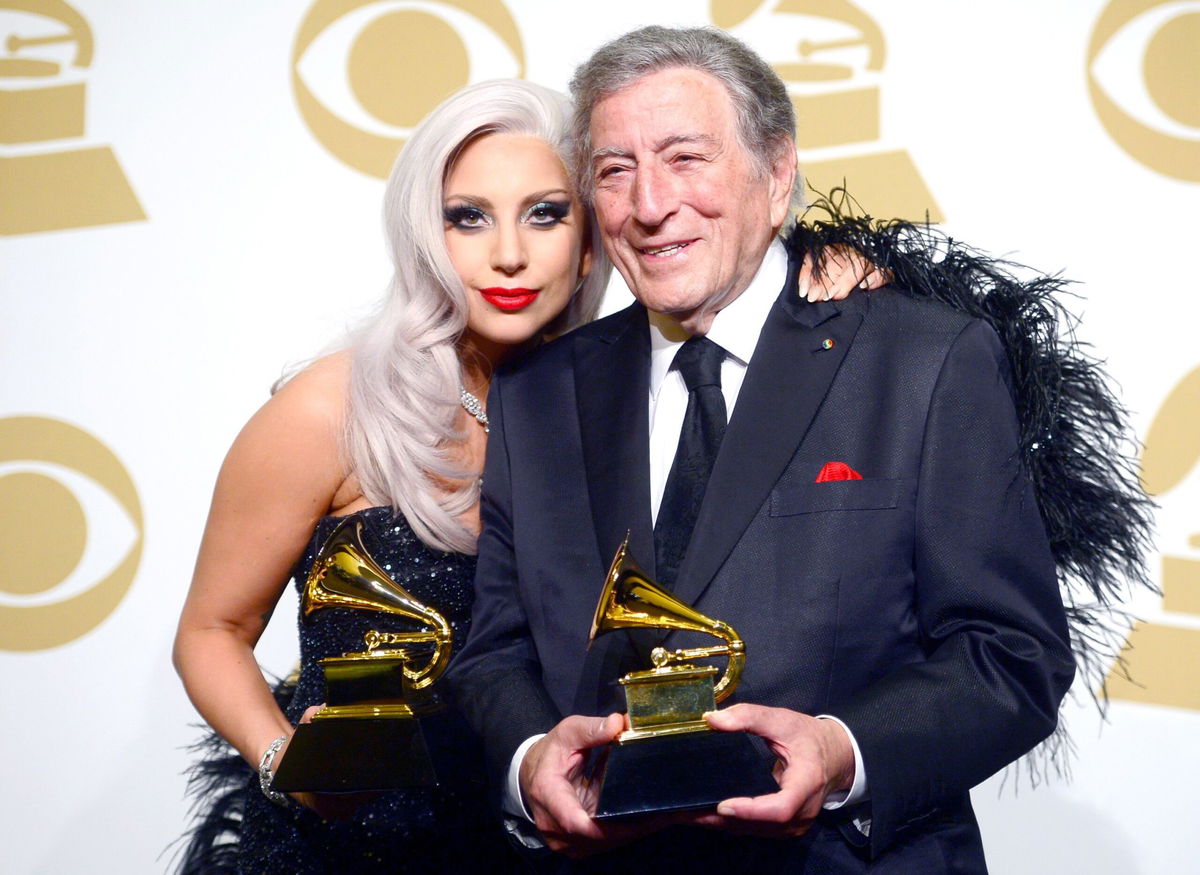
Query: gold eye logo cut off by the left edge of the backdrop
[71, 534]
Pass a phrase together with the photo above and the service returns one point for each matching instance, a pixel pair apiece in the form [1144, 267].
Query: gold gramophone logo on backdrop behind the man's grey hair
[833, 74]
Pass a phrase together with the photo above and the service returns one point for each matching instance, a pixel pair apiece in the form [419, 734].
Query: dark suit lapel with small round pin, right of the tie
[789, 377]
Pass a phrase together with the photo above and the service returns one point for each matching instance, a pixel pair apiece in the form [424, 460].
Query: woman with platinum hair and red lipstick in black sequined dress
[493, 254]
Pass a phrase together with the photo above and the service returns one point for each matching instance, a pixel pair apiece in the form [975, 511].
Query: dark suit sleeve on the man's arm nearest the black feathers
[988, 608]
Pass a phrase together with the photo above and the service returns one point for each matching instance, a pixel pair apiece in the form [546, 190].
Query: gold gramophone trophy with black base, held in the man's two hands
[669, 759]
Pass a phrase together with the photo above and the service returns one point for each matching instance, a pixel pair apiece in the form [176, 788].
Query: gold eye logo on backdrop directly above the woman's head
[365, 73]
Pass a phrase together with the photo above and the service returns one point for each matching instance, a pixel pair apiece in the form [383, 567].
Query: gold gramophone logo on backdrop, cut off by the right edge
[1162, 657]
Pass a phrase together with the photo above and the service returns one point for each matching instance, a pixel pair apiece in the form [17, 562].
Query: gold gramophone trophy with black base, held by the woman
[370, 734]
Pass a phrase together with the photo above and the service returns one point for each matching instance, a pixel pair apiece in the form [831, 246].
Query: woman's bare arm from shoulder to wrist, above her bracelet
[283, 475]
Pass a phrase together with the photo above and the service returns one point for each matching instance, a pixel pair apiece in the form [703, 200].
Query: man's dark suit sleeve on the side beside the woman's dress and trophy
[496, 680]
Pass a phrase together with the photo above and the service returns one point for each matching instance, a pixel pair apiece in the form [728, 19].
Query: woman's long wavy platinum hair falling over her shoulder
[406, 373]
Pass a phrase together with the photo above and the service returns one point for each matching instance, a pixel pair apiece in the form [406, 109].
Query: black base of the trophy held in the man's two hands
[683, 772]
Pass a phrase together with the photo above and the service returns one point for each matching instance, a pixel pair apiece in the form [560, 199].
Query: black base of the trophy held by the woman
[356, 756]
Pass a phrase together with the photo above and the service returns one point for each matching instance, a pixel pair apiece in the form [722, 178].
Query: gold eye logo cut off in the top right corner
[1144, 82]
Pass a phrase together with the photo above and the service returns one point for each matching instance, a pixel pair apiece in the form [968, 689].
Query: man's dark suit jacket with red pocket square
[920, 604]
